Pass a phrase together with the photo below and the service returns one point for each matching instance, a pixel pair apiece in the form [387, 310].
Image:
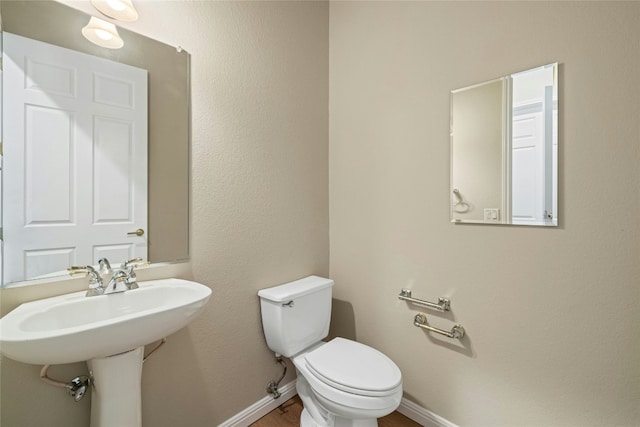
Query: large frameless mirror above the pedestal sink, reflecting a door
[95, 145]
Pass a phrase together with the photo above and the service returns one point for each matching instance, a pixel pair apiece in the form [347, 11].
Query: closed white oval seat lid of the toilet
[354, 368]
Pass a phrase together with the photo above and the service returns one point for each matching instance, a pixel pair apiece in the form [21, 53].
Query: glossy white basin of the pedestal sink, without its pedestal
[74, 328]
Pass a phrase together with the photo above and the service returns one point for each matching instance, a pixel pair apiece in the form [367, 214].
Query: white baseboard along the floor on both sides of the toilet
[267, 404]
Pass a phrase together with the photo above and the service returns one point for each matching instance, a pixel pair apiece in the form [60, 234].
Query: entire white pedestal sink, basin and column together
[107, 331]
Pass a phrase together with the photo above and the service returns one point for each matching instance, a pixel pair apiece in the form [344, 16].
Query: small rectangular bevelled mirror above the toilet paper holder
[504, 150]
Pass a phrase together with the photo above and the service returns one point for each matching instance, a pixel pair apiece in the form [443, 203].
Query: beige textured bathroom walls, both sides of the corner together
[550, 313]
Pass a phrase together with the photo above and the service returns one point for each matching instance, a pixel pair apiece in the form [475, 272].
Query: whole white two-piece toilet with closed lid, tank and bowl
[341, 382]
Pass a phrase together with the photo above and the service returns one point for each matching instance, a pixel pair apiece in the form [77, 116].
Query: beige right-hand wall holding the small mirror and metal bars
[551, 313]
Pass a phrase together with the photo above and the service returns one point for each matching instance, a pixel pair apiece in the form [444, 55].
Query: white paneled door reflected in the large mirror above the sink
[75, 159]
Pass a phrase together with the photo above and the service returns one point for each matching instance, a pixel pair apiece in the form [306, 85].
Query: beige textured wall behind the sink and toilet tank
[259, 208]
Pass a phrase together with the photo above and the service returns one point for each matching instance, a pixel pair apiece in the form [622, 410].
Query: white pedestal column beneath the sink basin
[116, 395]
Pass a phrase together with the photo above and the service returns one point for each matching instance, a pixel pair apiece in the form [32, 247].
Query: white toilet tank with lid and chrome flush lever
[296, 315]
